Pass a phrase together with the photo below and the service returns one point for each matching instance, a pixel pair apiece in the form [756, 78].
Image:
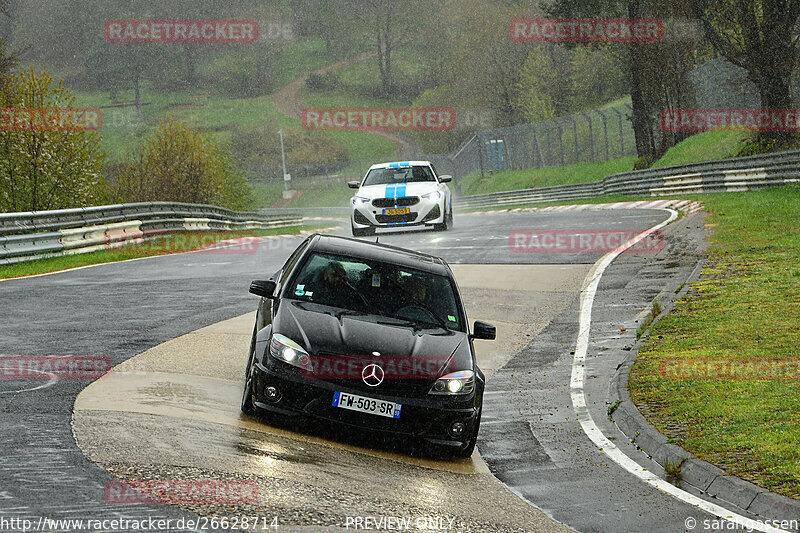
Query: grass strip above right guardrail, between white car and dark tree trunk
[510, 180]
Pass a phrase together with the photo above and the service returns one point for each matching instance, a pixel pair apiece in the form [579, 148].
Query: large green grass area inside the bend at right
[744, 307]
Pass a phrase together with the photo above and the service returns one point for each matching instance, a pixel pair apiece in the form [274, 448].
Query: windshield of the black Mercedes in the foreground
[377, 288]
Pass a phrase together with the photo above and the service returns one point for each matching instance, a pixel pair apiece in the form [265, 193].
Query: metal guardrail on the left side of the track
[33, 235]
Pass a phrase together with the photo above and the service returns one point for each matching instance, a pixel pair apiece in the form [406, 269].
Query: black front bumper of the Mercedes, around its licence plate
[428, 418]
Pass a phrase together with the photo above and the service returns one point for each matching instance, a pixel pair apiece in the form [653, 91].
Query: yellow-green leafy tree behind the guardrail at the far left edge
[45, 165]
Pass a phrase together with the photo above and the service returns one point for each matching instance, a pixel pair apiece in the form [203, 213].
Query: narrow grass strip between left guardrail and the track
[175, 242]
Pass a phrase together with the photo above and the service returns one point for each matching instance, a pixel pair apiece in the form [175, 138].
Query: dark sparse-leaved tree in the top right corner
[761, 37]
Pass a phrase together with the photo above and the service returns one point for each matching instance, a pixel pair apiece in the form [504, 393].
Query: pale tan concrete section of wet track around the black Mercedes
[174, 410]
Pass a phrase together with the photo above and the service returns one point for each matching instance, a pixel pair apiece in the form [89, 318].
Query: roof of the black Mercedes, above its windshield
[380, 252]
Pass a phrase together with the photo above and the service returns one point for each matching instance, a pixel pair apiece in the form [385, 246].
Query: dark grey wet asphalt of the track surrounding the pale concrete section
[529, 438]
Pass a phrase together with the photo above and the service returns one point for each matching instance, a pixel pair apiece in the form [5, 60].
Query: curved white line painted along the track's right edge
[585, 418]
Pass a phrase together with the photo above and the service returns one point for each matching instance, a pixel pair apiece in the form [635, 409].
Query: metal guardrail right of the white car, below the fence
[723, 175]
